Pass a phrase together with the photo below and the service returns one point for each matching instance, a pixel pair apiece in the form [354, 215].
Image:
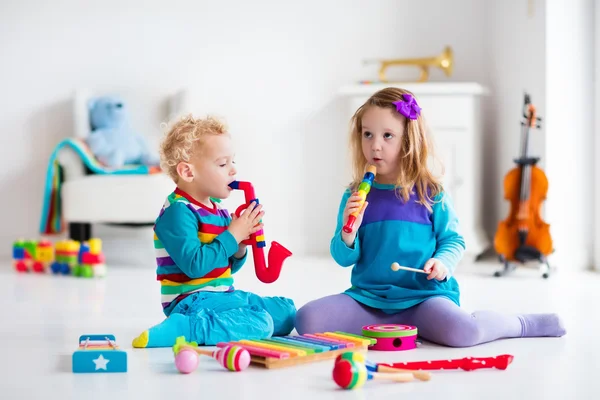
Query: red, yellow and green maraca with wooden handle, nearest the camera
[351, 374]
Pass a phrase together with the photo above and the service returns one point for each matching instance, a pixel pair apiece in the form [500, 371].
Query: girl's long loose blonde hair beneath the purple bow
[415, 150]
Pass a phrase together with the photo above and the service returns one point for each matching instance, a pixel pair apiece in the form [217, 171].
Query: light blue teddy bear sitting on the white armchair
[112, 140]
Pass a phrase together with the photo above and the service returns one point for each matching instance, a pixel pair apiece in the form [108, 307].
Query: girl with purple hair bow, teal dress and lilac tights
[406, 218]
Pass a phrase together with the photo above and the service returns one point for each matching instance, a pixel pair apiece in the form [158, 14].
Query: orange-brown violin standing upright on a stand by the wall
[524, 236]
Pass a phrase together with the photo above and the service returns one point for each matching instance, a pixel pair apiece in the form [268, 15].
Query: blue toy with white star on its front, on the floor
[99, 353]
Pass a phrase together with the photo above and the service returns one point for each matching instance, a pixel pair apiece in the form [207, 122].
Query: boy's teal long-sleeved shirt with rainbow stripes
[194, 250]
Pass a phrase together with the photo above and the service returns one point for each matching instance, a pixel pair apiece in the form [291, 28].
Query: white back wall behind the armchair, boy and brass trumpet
[272, 68]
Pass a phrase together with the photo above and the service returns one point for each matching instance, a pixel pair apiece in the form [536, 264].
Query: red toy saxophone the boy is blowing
[277, 253]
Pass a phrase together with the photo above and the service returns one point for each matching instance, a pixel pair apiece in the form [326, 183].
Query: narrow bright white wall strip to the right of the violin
[570, 129]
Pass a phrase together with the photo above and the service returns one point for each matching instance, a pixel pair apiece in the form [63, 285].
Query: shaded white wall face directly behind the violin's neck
[516, 60]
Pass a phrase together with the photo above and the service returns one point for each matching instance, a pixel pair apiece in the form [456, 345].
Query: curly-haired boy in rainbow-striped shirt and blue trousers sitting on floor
[198, 247]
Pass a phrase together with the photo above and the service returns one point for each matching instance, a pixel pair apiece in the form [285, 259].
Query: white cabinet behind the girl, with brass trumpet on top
[453, 114]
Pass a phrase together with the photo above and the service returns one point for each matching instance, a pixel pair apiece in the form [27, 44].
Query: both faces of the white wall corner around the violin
[549, 54]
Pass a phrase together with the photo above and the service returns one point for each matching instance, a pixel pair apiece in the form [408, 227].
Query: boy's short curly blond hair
[183, 139]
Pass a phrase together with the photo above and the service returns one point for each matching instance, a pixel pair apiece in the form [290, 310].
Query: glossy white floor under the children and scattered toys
[44, 316]
